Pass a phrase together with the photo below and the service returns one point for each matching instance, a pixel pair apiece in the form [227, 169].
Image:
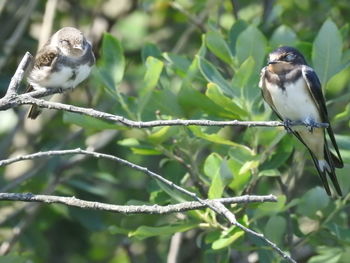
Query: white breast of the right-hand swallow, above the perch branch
[294, 102]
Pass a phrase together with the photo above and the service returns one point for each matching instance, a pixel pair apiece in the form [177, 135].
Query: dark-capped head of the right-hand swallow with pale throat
[284, 59]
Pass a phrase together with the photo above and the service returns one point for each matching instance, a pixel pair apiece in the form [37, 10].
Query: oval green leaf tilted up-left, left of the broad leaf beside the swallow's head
[218, 46]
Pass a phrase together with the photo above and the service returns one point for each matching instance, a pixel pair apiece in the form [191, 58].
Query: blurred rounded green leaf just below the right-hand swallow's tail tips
[313, 200]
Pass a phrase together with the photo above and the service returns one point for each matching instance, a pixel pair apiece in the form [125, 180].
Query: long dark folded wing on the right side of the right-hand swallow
[315, 89]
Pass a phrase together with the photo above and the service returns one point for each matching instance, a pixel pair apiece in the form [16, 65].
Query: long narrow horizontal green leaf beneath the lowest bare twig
[143, 232]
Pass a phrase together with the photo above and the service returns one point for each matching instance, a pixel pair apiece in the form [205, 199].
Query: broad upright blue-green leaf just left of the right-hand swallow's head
[251, 43]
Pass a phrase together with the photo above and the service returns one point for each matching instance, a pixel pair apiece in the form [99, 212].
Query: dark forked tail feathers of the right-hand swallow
[327, 167]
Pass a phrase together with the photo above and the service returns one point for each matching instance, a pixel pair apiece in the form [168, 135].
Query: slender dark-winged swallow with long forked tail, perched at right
[294, 92]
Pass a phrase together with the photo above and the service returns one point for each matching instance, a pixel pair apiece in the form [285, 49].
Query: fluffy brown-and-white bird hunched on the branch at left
[63, 62]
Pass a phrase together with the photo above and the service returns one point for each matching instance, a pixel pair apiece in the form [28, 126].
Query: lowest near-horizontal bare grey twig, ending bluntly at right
[131, 209]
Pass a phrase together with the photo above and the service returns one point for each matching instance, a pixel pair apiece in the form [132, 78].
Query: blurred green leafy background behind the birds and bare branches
[161, 59]
